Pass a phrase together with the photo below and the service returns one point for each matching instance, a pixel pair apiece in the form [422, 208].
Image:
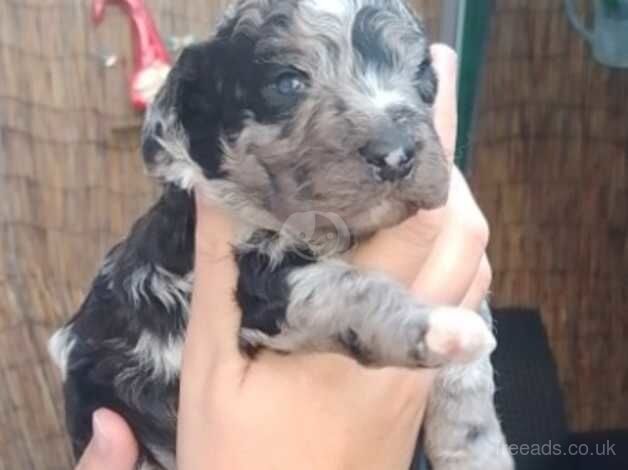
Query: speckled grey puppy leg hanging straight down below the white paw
[462, 430]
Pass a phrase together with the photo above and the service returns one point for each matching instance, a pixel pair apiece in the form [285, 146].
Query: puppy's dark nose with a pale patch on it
[391, 156]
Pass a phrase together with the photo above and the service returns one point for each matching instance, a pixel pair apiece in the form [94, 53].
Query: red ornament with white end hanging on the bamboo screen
[151, 58]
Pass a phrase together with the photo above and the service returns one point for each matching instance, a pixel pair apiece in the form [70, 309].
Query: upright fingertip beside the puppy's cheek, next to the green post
[445, 61]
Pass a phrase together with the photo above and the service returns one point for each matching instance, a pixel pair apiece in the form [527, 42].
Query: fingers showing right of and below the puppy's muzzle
[440, 254]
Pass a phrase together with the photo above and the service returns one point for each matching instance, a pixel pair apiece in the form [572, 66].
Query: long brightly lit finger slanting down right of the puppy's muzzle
[454, 261]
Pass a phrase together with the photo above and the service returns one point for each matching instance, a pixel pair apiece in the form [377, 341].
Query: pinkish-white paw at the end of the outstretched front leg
[459, 335]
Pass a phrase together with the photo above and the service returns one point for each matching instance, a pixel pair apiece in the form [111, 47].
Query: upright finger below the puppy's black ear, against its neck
[212, 334]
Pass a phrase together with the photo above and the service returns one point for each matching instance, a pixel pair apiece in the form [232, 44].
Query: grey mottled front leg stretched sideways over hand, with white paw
[334, 307]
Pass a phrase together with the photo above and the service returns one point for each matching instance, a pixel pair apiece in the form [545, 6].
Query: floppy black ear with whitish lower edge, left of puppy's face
[181, 136]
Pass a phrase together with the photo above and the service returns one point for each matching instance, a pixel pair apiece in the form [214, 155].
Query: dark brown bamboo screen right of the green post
[550, 168]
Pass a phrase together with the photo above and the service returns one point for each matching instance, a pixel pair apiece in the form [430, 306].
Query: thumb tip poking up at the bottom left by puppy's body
[112, 445]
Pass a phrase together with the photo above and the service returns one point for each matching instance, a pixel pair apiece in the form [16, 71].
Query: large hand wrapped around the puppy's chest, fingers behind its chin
[316, 410]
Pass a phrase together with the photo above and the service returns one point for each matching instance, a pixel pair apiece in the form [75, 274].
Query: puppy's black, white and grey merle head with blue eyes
[305, 105]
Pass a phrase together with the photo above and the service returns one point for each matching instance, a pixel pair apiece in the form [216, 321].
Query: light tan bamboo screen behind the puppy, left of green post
[71, 182]
